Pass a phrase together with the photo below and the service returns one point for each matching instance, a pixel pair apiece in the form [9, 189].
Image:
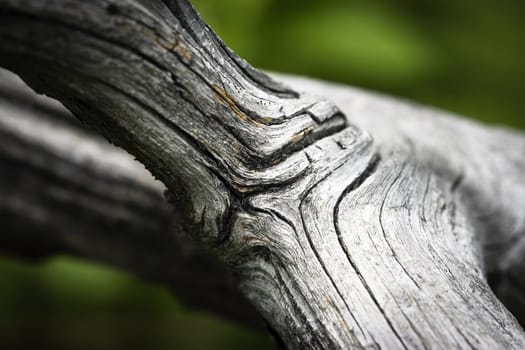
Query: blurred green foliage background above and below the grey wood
[464, 56]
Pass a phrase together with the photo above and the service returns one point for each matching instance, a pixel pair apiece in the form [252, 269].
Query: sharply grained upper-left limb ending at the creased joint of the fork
[223, 127]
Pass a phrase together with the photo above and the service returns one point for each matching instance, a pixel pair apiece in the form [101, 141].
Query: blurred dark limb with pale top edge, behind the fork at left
[65, 191]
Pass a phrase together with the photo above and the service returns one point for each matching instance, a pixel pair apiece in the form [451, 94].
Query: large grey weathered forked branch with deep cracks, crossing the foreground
[376, 230]
